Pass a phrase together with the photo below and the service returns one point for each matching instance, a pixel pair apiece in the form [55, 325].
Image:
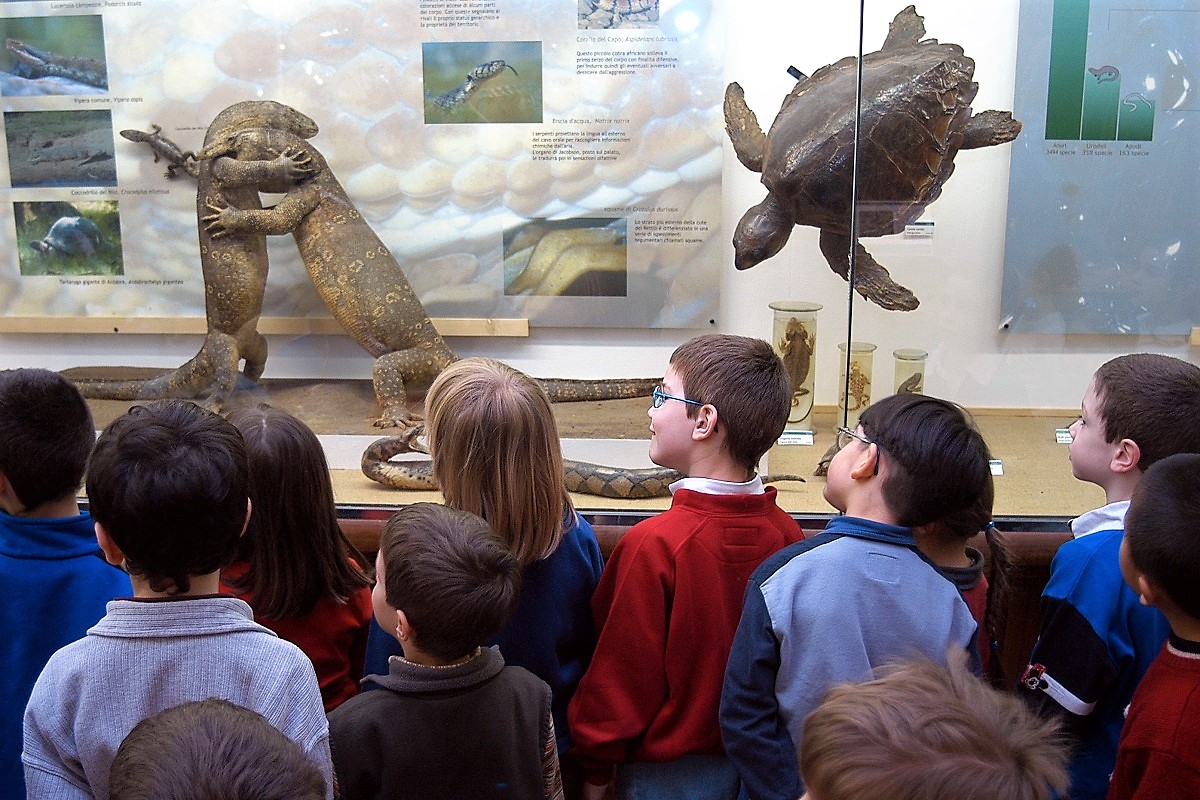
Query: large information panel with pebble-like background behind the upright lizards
[551, 160]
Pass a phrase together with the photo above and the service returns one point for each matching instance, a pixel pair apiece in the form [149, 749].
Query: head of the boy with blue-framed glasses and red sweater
[740, 378]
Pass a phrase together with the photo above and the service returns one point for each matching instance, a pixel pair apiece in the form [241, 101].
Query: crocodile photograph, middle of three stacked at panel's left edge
[61, 148]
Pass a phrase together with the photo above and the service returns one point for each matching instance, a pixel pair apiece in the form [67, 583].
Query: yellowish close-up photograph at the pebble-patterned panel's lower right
[586, 257]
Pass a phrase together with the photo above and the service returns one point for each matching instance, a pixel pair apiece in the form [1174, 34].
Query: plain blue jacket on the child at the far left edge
[53, 587]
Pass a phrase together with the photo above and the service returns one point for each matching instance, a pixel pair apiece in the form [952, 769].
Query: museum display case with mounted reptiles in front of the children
[572, 189]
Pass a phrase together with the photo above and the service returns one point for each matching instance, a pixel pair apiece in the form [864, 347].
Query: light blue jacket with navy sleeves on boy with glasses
[826, 611]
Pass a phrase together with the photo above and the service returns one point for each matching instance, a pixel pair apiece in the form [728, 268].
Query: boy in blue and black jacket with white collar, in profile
[1097, 640]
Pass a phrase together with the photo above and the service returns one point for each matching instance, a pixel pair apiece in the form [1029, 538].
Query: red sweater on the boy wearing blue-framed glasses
[667, 610]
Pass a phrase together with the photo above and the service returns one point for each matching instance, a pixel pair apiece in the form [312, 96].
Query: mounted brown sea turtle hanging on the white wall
[916, 117]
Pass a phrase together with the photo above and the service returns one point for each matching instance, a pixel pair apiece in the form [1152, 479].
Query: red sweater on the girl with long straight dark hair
[334, 636]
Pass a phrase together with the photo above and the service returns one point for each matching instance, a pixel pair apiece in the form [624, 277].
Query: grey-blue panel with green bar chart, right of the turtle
[1103, 232]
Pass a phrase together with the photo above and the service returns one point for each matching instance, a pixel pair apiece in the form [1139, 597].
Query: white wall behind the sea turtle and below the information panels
[957, 276]
